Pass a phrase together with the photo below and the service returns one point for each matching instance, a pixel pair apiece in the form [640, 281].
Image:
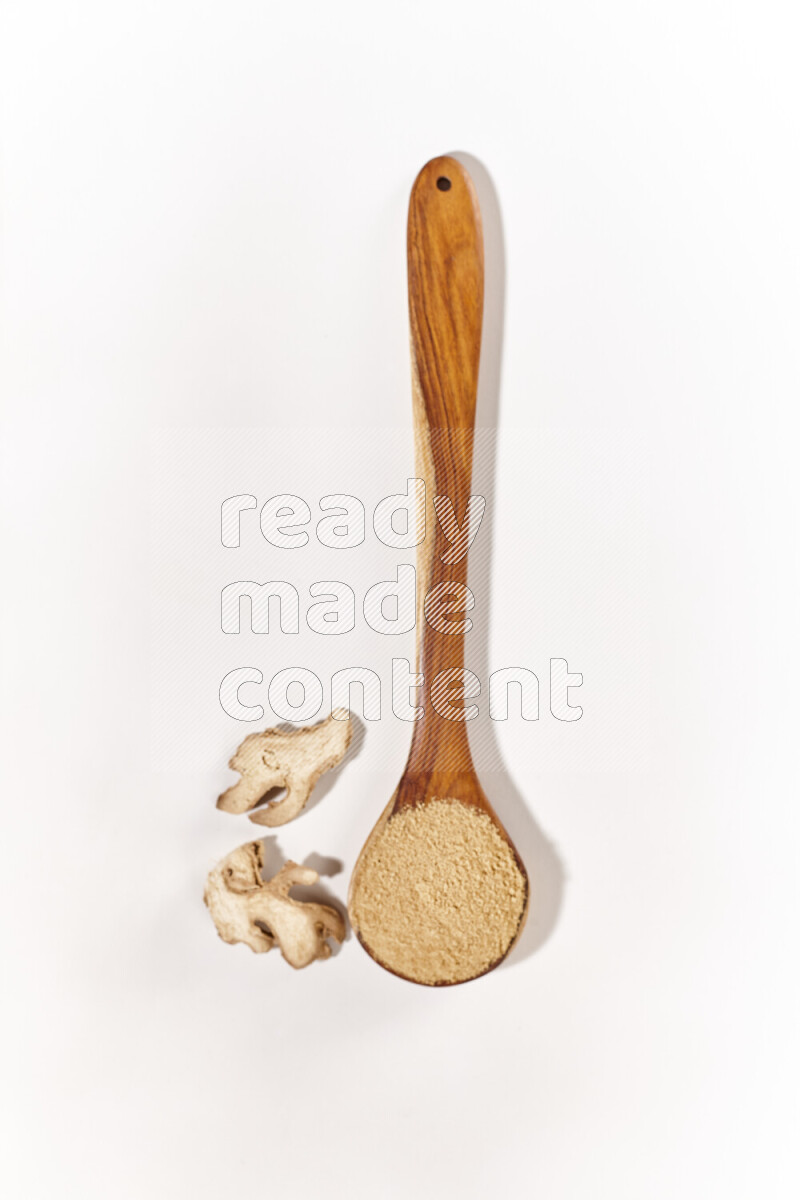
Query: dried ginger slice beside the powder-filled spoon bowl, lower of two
[262, 914]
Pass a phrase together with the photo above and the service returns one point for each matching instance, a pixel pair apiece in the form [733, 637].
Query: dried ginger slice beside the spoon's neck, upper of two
[293, 760]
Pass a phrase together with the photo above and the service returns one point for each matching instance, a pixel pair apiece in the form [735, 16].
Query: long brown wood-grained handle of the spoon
[446, 289]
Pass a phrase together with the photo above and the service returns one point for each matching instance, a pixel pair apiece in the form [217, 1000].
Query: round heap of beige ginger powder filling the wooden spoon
[438, 896]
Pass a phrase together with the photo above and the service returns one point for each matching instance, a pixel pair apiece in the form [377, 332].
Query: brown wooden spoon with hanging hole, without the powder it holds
[446, 280]
